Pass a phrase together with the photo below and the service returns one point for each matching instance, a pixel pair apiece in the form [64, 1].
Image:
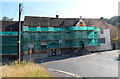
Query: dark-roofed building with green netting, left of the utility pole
[8, 41]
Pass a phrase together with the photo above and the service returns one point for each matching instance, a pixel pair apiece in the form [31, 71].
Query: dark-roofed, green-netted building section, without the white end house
[57, 35]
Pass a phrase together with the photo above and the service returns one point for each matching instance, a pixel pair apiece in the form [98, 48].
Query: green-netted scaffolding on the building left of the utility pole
[9, 43]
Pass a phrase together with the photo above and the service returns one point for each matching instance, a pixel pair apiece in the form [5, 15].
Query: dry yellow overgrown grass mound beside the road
[24, 70]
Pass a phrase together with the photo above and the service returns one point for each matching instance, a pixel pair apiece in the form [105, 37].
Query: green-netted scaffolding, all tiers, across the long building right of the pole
[56, 37]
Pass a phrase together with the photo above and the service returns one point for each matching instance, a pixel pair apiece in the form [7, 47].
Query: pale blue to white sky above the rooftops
[63, 8]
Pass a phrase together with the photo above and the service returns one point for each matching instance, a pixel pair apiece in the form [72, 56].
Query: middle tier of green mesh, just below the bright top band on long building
[27, 36]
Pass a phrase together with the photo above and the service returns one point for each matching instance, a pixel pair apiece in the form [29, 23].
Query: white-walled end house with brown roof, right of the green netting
[104, 33]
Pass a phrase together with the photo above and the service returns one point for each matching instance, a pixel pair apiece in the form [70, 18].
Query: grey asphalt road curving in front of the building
[101, 64]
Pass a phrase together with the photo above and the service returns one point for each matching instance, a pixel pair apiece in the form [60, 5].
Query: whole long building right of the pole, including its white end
[49, 36]
